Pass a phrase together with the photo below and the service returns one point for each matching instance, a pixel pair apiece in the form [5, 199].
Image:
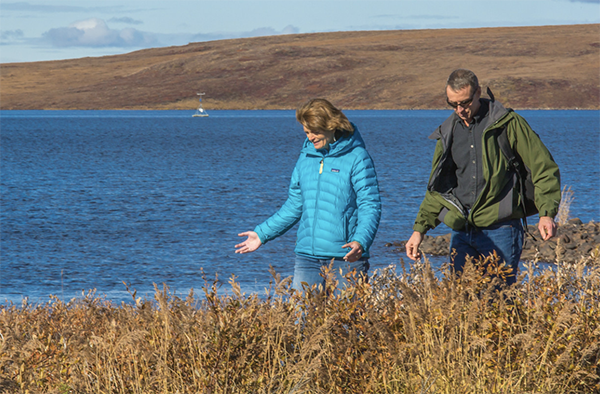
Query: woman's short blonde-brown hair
[320, 114]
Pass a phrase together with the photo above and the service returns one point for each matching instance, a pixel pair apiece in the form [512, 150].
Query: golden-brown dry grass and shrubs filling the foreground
[410, 332]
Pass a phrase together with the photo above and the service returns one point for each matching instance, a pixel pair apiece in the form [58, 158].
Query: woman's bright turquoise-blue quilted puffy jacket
[335, 196]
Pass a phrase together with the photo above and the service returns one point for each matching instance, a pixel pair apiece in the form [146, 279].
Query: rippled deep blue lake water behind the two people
[92, 199]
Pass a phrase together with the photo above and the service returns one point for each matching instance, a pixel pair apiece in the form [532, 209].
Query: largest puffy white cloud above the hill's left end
[95, 33]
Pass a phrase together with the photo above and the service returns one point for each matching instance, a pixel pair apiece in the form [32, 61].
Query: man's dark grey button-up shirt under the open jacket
[467, 155]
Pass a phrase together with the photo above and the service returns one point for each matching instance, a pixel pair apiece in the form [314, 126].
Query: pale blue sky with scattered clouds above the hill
[40, 30]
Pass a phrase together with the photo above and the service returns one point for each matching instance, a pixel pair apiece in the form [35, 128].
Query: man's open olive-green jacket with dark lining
[499, 199]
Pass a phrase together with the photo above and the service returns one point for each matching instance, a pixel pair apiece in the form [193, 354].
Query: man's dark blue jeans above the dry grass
[506, 238]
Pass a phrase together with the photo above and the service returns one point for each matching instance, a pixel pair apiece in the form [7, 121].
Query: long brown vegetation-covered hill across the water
[526, 67]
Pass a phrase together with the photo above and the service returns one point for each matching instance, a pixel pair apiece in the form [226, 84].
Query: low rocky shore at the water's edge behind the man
[573, 241]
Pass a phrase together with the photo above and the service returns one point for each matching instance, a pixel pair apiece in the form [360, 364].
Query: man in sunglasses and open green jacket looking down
[472, 187]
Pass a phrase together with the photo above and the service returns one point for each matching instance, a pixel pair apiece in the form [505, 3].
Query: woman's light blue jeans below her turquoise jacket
[308, 269]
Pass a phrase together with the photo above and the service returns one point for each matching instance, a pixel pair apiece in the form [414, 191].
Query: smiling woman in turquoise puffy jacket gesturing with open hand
[333, 194]
